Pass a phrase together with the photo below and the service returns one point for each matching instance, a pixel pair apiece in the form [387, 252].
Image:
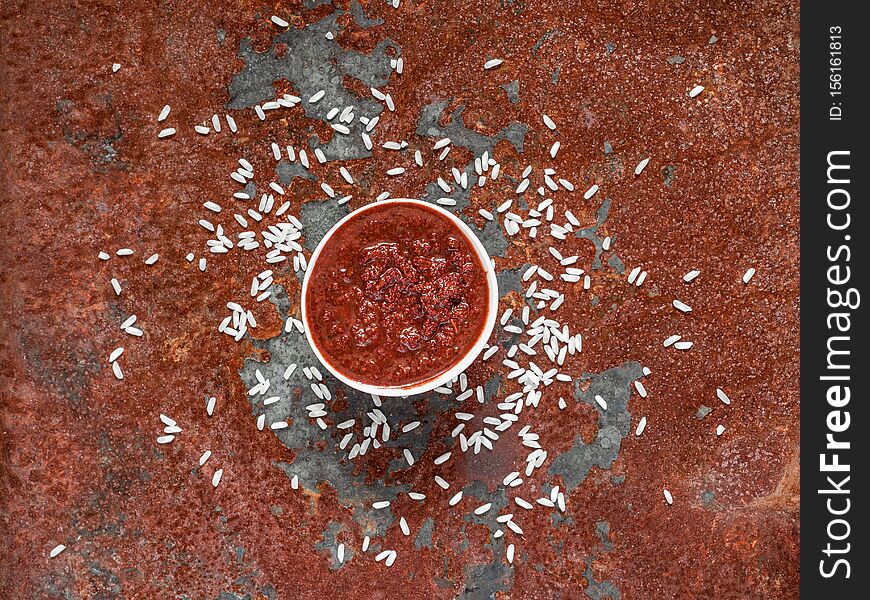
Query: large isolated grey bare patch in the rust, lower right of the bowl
[614, 385]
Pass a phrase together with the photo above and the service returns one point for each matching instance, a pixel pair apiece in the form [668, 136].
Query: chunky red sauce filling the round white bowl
[397, 296]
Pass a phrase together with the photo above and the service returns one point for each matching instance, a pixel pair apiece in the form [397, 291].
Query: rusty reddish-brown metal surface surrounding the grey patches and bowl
[83, 171]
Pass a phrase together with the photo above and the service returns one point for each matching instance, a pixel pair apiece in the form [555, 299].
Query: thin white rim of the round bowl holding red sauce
[466, 360]
